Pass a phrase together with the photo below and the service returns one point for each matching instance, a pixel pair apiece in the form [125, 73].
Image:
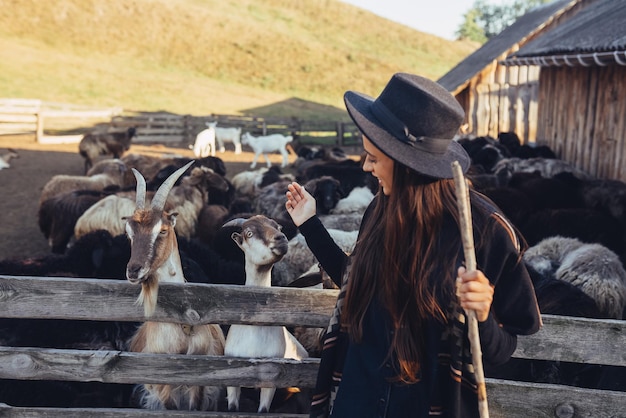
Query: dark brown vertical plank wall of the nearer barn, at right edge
[581, 117]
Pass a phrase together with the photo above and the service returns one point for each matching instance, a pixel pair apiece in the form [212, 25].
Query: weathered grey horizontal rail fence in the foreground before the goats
[563, 339]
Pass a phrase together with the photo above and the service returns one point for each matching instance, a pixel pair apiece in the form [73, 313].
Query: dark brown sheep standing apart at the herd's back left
[113, 143]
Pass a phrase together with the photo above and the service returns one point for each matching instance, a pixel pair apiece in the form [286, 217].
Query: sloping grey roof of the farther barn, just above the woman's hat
[523, 27]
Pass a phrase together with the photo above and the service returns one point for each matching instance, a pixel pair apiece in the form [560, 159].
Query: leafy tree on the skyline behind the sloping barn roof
[486, 20]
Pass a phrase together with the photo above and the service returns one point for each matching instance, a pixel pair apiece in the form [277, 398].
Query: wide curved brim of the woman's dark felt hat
[424, 162]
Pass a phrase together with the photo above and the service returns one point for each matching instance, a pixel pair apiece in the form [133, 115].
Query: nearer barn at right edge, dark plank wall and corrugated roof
[582, 88]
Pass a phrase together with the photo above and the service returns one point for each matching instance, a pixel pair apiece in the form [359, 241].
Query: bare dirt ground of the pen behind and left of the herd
[21, 185]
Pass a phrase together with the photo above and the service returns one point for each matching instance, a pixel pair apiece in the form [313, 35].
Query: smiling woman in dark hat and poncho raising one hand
[397, 343]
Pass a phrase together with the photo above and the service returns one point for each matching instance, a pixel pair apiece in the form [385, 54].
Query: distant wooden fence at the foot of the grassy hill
[57, 122]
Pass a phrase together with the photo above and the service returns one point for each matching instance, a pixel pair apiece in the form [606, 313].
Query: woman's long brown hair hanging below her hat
[400, 261]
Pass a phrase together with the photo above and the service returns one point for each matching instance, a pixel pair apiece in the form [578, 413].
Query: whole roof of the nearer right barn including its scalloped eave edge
[595, 34]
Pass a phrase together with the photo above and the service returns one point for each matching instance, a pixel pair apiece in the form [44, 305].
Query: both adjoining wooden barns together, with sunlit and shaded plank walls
[555, 77]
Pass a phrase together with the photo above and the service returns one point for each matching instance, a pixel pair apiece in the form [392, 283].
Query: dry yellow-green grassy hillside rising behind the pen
[260, 57]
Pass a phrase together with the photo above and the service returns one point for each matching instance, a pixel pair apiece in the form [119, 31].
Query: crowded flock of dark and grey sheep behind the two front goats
[574, 225]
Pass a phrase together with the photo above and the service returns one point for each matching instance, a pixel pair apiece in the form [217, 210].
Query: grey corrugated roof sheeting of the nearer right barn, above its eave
[598, 27]
